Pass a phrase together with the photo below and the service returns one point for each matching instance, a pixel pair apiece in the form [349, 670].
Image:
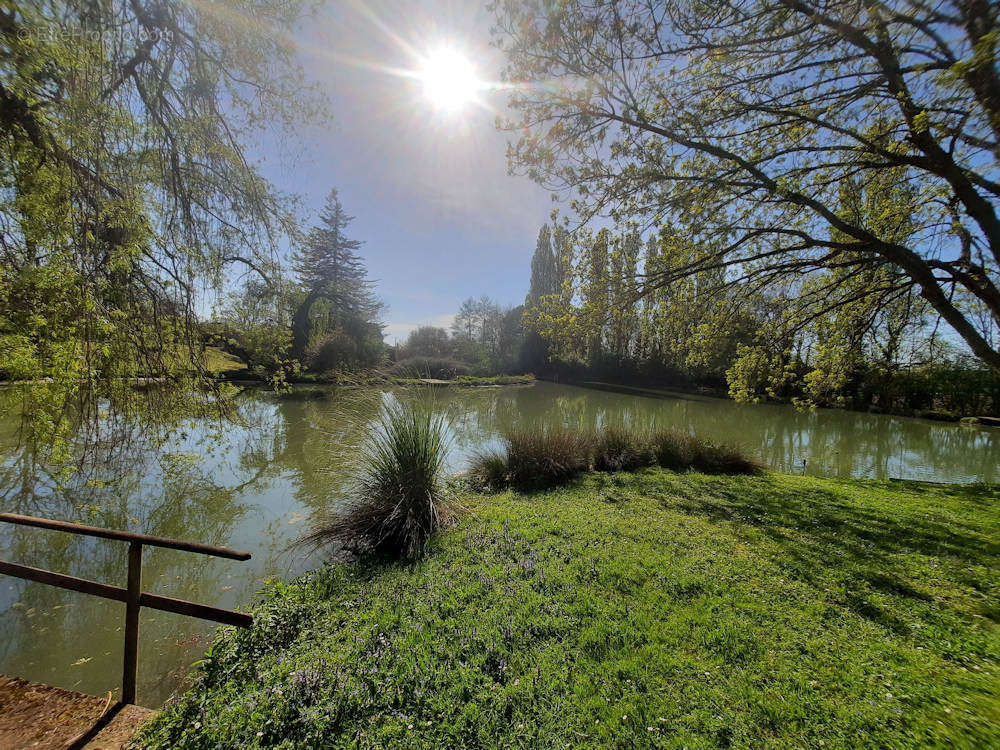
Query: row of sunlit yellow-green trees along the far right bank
[587, 316]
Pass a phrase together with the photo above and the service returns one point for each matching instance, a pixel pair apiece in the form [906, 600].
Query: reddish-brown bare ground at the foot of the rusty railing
[42, 717]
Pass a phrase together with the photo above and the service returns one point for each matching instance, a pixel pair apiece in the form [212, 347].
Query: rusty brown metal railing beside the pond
[132, 595]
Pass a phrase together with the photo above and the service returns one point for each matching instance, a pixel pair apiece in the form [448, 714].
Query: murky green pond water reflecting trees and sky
[254, 486]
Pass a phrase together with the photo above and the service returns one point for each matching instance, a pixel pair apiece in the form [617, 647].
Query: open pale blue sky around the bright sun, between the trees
[440, 217]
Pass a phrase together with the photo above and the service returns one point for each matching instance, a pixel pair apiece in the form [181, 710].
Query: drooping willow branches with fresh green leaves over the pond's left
[125, 188]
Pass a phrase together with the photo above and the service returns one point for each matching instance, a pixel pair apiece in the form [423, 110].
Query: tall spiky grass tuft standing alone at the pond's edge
[398, 499]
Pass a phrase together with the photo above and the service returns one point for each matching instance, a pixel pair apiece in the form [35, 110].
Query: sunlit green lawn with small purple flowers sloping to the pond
[645, 610]
